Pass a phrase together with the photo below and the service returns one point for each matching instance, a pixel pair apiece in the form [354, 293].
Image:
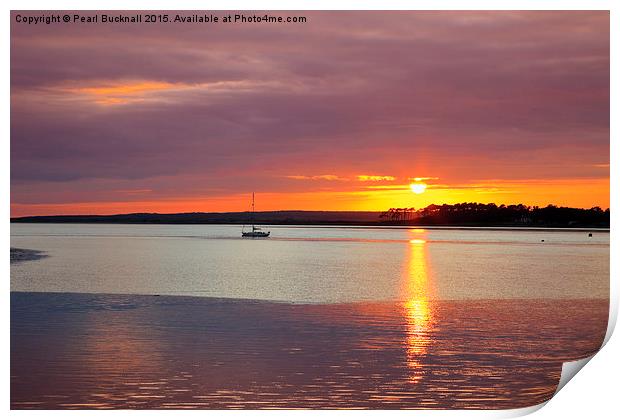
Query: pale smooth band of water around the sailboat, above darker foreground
[317, 265]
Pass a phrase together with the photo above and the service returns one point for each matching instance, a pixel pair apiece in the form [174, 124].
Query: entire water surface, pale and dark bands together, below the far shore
[391, 318]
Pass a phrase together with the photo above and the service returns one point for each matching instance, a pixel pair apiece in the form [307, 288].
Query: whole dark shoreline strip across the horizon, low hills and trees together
[462, 214]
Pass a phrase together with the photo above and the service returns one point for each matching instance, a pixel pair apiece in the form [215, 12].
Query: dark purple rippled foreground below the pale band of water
[130, 351]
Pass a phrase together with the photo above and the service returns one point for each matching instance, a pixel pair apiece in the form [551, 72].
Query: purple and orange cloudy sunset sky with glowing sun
[343, 112]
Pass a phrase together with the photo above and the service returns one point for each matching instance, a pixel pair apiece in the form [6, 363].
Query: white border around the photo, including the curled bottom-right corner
[593, 394]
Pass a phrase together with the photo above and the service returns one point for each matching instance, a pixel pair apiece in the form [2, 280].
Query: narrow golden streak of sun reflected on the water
[417, 308]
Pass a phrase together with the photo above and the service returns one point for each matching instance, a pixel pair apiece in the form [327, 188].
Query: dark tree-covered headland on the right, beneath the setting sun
[480, 214]
